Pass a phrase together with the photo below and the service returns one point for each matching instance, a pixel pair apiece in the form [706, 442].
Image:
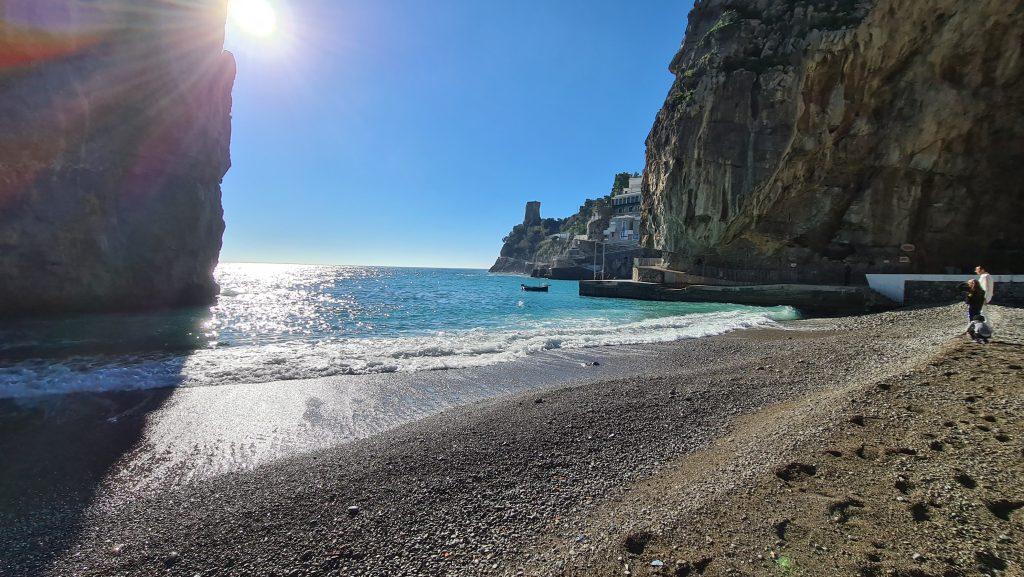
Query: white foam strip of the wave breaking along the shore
[302, 359]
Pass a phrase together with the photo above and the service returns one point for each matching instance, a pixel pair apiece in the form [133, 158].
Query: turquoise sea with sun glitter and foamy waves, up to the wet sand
[286, 322]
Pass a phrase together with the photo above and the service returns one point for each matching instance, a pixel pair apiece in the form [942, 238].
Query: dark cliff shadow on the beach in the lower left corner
[57, 454]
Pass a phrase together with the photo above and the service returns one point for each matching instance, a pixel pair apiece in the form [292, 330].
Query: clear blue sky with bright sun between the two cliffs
[412, 133]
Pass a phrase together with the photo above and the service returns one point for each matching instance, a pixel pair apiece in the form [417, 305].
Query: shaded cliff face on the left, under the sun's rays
[117, 127]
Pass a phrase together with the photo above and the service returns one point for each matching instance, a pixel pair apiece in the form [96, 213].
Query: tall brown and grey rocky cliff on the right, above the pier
[825, 137]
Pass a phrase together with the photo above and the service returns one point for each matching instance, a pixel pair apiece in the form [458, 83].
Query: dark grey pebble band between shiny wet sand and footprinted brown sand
[499, 475]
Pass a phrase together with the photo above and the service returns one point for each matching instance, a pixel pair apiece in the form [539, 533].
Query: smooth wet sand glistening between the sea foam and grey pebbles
[180, 435]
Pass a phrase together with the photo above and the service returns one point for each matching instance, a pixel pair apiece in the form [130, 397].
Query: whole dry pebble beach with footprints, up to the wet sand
[714, 462]
